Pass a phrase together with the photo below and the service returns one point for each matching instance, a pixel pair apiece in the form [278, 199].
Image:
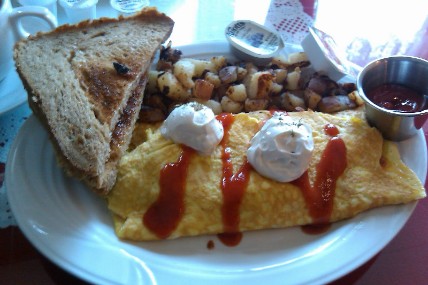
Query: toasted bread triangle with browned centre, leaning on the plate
[86, 83]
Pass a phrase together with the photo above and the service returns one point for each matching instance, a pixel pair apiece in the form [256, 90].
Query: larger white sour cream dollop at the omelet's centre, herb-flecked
[282, 149]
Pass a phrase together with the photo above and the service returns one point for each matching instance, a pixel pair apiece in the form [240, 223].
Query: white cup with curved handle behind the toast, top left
[11, 29]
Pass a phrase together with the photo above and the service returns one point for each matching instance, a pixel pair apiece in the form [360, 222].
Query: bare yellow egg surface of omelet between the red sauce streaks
[374, 176]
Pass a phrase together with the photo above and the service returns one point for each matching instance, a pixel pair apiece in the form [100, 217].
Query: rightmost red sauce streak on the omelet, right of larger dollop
[320, 197]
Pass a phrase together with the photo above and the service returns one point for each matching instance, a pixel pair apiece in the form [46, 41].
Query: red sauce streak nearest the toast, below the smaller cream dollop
[163, 216]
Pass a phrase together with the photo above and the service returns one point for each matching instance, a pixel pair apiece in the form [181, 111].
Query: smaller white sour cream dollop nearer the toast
[195, 126]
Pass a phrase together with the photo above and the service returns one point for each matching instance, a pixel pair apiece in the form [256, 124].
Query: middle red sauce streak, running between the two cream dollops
[233, 188]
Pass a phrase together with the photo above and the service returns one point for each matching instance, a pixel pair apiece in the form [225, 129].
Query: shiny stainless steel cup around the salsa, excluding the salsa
[409, 71]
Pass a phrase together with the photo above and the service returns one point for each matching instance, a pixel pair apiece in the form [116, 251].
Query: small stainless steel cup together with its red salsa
[395, 92]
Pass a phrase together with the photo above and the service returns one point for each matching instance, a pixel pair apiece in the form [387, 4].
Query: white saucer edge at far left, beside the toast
[12, 92]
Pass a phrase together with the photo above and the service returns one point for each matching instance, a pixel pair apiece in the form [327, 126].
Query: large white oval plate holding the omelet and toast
[72, 227]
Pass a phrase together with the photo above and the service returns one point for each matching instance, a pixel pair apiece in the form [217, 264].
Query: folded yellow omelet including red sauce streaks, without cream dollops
[165, 190]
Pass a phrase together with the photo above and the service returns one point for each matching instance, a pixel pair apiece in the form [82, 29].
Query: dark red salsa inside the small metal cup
[398, 98]
